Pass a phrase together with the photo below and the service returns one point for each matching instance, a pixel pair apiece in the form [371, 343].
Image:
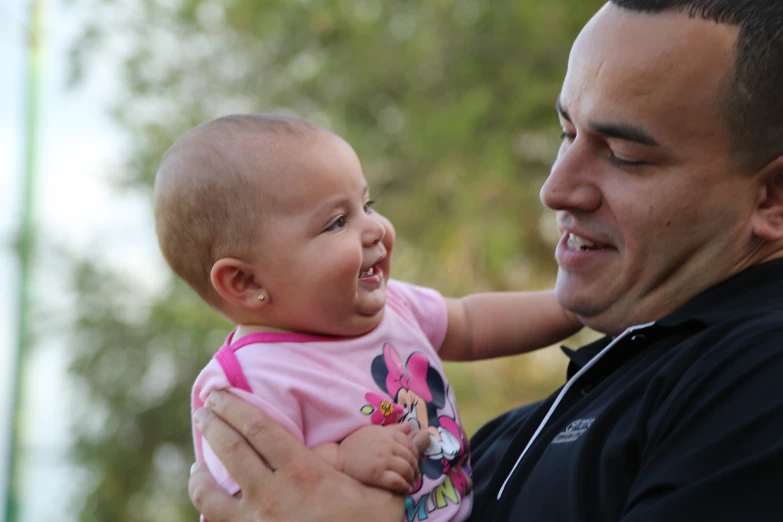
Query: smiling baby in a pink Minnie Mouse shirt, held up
[270, 220]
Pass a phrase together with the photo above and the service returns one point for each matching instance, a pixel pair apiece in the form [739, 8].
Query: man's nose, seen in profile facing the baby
[573, 181]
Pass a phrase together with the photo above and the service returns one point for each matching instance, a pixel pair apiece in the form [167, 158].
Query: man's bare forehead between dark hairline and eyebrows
[628, 64]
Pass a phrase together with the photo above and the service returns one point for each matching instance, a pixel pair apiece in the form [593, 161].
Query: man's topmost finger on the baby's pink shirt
[273, 443]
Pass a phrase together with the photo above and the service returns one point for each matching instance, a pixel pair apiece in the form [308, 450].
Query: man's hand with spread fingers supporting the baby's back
[280, 478]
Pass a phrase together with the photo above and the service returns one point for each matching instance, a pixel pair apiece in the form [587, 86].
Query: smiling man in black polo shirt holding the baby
[668, 189]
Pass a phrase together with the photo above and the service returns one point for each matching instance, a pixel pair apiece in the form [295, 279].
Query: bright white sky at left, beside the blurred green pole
[76, 209]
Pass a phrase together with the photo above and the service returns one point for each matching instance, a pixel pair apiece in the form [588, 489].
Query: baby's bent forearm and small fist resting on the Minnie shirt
[380, 456]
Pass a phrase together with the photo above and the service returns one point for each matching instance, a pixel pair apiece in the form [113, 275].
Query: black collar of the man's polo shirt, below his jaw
[755, 290]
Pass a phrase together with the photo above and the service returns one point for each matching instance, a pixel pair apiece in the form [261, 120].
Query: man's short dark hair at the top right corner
[753, 90]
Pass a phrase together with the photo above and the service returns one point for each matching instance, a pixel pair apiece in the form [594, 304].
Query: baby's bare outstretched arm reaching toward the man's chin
[482, 326]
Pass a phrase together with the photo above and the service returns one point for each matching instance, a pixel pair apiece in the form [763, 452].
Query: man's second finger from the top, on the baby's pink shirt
[236, 454]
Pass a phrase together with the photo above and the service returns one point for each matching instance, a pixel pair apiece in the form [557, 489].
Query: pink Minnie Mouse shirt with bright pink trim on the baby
[322, 389]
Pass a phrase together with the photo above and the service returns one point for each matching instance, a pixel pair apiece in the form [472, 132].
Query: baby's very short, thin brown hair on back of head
[206, 204]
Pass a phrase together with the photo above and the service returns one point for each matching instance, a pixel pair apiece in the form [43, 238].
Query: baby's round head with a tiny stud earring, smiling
[268, 218]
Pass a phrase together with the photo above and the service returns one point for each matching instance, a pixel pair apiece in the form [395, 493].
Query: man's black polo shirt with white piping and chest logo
[681, 420]
